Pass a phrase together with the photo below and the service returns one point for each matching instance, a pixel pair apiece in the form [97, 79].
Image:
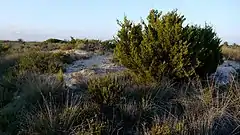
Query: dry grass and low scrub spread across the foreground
[45, 107]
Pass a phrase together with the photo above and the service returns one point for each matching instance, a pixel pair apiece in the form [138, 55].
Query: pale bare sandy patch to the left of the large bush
[82, 69]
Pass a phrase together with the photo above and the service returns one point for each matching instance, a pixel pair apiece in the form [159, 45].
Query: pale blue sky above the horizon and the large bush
[41, 19]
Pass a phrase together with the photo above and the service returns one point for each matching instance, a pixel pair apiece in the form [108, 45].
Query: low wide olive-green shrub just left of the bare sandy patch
[42, 62]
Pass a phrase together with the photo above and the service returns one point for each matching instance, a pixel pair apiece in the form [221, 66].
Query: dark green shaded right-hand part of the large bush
[204, 46]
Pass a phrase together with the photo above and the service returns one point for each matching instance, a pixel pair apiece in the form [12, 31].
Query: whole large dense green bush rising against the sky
[164, 46]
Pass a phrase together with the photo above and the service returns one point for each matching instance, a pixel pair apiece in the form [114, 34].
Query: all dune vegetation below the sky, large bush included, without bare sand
[164, 90]
